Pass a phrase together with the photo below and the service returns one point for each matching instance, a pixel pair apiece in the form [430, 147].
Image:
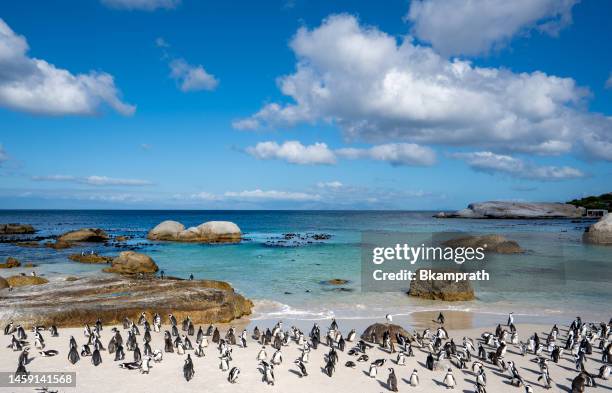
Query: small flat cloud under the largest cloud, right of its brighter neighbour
[395, 153]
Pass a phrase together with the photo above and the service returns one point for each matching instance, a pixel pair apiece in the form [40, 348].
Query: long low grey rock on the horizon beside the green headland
[516, 210]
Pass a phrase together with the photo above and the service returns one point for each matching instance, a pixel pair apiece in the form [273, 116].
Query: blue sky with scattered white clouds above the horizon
[303, 104]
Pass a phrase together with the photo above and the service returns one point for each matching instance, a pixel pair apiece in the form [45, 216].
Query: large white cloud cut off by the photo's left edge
[33, 85]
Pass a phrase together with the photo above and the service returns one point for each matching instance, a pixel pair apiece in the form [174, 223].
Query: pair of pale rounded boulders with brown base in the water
[208, 232]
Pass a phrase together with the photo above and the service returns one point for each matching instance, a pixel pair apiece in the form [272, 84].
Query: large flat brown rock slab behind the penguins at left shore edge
[112, 298]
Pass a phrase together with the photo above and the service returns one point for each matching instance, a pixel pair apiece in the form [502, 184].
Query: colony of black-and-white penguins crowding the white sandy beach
[469, 359]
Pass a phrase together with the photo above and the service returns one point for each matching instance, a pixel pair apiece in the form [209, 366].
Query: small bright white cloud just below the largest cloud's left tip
[293, 152]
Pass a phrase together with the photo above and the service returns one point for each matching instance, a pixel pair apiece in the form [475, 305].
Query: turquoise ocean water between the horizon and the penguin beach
[557, 276]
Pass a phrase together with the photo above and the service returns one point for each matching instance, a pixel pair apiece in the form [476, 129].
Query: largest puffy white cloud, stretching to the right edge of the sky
[380, 90]
